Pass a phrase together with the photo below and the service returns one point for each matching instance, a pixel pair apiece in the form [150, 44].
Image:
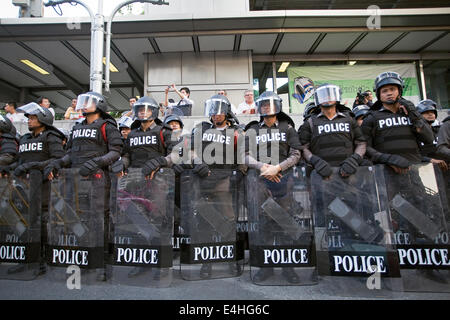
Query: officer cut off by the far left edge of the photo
[8, 145]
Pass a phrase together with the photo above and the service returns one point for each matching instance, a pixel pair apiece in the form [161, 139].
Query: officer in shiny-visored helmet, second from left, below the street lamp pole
[95, 144]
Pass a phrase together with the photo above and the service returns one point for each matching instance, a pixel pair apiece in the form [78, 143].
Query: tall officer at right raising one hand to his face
[393, 127]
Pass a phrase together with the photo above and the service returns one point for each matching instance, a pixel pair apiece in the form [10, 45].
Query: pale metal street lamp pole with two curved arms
[97, 33]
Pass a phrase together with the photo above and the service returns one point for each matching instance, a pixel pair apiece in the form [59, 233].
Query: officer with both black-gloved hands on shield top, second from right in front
[332, 138]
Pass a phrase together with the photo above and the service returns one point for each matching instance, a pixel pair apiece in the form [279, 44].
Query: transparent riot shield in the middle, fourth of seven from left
[209, 218]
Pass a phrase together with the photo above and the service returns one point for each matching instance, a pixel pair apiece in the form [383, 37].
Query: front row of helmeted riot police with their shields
[296, 187]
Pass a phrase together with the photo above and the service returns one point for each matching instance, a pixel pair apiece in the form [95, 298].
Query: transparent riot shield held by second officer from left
[76, 228]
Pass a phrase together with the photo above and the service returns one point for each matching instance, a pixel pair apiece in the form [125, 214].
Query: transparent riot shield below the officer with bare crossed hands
[281, 241]
